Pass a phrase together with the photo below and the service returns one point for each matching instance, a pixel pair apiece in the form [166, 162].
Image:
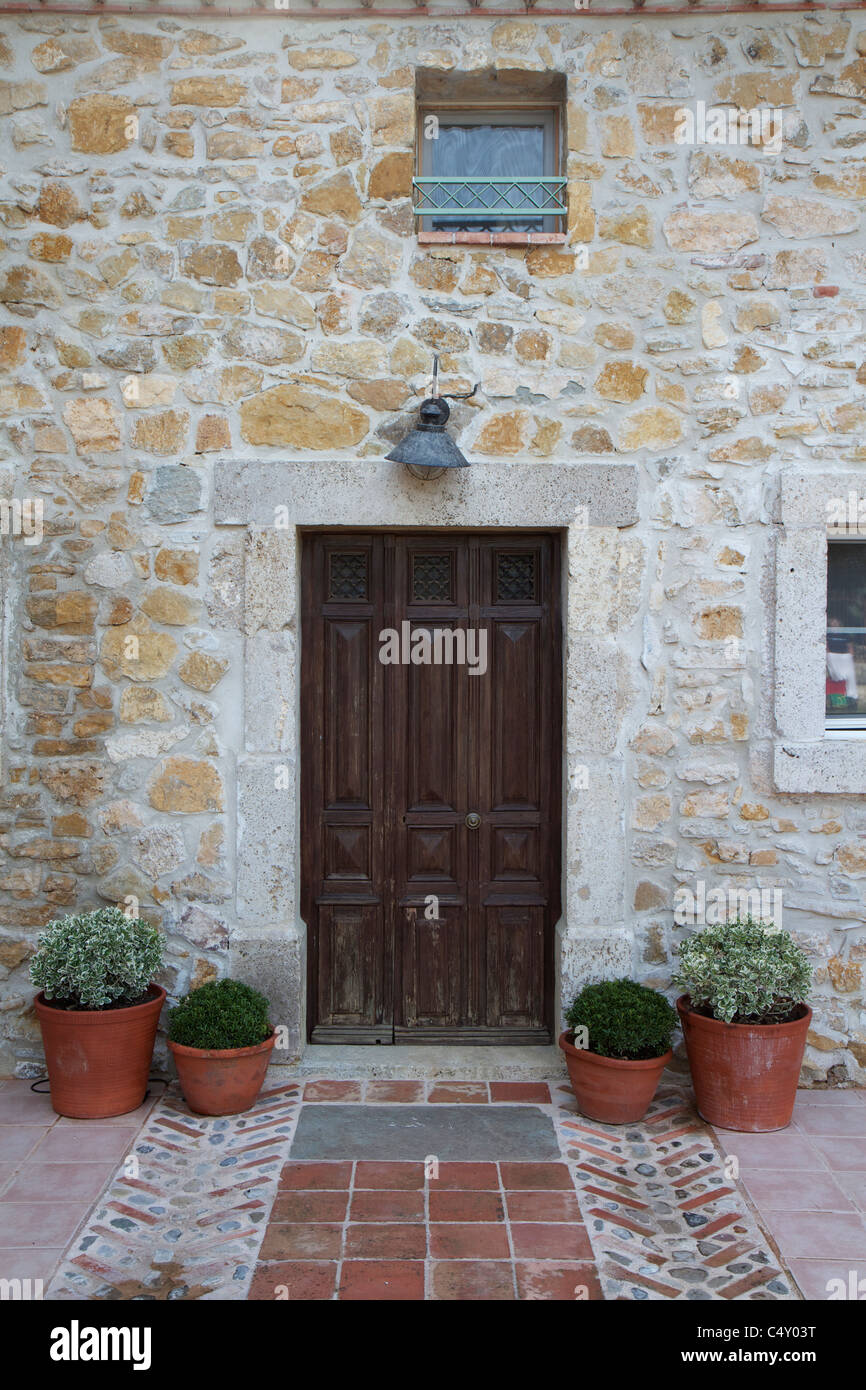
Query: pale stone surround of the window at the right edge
[808, 755]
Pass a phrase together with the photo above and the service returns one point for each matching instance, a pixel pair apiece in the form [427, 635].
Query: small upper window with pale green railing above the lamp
[483, 170]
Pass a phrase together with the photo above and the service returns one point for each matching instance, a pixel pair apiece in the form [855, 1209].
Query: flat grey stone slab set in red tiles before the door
[477, 1134]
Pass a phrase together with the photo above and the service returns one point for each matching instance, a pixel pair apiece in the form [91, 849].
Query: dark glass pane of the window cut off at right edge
[846, 630]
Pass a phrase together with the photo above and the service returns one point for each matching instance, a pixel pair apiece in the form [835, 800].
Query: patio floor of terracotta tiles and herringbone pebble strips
[229, 1210]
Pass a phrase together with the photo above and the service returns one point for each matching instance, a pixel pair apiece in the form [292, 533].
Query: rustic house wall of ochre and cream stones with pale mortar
[209, 254]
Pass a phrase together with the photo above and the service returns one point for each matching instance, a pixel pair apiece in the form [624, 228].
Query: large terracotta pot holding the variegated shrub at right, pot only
[744, 1074]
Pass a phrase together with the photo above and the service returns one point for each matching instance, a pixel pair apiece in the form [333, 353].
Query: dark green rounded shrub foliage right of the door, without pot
[623, 1020]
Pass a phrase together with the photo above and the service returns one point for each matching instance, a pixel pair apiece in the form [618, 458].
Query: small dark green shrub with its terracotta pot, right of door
[616, 1049]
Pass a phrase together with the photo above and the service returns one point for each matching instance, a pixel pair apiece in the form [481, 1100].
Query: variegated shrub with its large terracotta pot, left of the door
[98, 1010]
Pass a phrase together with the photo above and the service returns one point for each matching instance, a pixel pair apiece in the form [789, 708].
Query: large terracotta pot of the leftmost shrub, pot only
[99, 1060]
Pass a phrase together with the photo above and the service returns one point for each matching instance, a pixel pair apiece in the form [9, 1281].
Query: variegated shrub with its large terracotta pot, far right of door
[746, 1021]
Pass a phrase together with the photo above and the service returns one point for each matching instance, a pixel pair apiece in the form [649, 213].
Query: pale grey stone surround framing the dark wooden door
[273, 502]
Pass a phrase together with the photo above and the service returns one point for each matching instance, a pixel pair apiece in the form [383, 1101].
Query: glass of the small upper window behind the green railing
[494, 152]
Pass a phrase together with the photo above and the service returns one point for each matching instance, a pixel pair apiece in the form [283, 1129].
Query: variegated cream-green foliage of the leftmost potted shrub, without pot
[97, 960]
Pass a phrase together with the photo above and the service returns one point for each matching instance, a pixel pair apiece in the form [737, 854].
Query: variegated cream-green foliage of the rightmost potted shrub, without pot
[744, 972]
